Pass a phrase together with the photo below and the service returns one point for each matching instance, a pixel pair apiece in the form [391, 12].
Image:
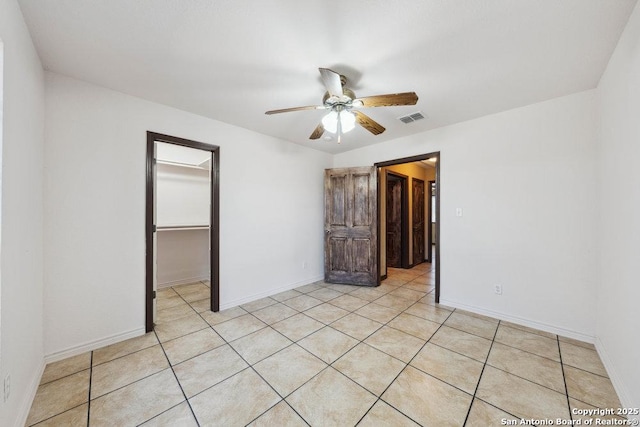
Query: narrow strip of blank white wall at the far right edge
[618, 314]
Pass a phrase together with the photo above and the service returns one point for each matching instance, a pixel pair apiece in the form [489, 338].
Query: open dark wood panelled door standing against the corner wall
[351, 224]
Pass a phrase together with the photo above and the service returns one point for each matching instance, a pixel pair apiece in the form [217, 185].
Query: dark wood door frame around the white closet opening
[214, 219]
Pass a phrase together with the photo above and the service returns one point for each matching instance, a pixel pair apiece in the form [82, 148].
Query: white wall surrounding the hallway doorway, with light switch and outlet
[525, 179]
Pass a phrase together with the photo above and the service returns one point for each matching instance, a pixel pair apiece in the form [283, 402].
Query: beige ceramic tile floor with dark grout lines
[325, 355]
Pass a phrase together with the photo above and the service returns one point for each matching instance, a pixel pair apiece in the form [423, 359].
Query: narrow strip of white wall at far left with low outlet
[21, 248]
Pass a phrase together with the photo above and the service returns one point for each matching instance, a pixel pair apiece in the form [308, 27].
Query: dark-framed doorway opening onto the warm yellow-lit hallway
[418, 230]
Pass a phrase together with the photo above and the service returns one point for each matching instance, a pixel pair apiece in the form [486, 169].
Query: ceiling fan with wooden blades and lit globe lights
[342, 103]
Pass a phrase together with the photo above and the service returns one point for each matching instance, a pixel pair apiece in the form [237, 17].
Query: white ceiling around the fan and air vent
[232, 60]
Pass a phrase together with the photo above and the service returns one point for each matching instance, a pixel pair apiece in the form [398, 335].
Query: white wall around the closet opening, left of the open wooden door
[270, 211]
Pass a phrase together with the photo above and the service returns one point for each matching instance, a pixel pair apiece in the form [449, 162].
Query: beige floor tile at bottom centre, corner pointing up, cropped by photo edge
[330, 399]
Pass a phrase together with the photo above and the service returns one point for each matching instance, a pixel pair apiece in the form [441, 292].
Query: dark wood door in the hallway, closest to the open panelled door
[394, 221]
